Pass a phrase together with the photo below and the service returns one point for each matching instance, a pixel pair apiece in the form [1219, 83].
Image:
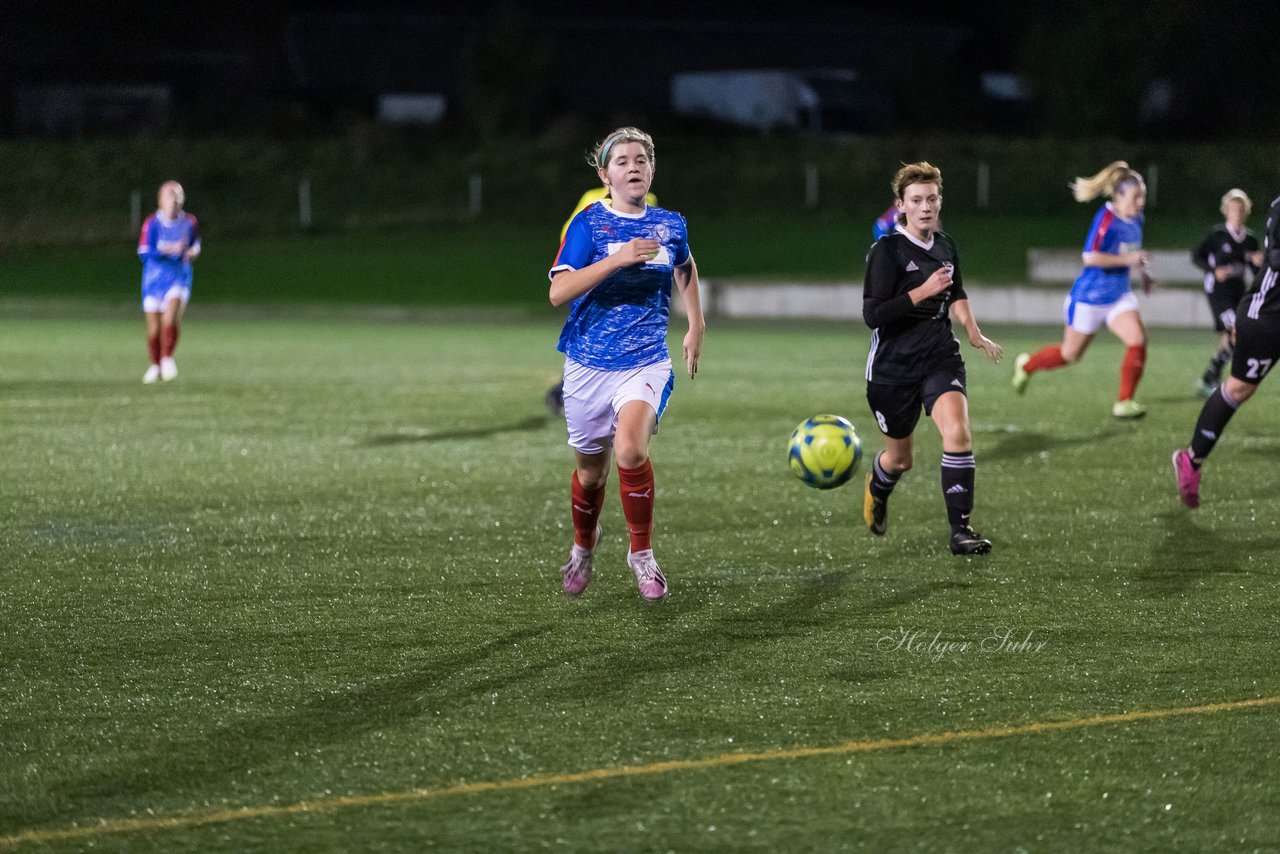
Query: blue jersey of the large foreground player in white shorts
[621, 323]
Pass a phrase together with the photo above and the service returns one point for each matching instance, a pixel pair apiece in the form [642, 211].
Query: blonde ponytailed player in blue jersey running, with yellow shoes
[1101, 294]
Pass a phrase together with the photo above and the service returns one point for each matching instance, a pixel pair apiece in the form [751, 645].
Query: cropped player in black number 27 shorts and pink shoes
[1258, 349]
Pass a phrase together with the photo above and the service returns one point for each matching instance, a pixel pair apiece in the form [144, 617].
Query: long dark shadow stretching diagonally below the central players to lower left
[532, 659]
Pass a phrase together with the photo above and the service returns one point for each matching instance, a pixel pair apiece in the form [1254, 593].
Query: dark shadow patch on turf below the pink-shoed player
[1190, 552]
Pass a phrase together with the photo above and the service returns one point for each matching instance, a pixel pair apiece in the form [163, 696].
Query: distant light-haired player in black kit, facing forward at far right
[1226, 255]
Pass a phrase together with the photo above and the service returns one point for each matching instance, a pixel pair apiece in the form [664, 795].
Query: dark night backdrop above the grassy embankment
[1160, 70]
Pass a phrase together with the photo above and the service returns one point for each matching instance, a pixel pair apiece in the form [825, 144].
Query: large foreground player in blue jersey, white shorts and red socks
[616, 268]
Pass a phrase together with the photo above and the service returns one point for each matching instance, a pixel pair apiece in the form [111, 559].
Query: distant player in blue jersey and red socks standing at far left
[168, 244]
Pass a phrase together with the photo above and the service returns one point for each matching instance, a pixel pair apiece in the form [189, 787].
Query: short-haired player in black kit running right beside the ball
[912, 293]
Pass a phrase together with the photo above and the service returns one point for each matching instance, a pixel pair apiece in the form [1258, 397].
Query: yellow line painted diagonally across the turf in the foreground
[538, 782]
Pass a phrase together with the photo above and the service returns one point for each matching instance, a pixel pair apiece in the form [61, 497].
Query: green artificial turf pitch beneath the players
[308, 599]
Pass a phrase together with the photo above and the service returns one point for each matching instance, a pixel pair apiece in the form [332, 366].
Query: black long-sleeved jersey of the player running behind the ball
[909, 341]
